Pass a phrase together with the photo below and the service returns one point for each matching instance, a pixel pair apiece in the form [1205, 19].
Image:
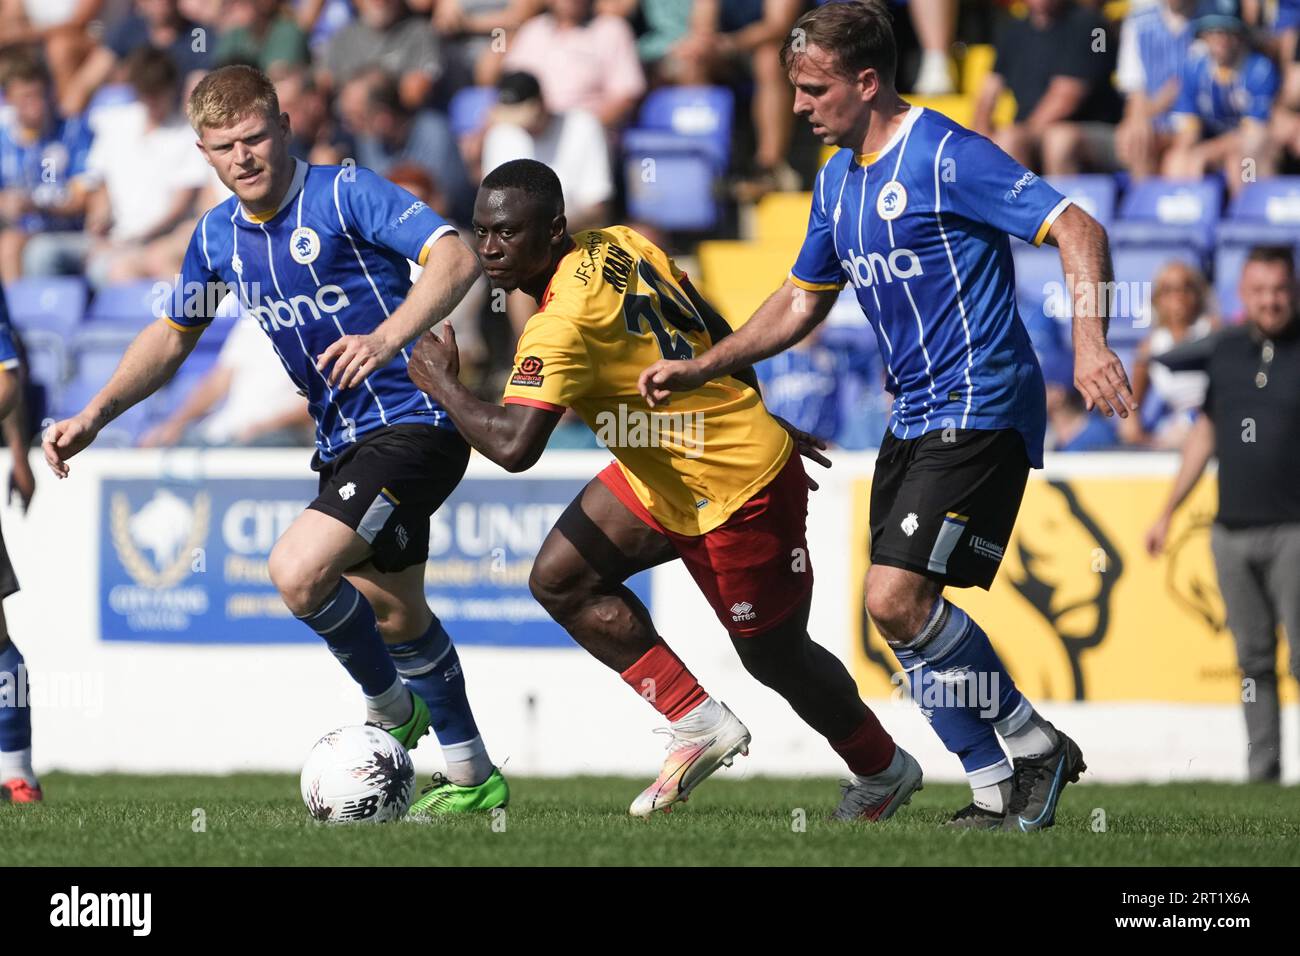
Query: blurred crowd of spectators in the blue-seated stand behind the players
[1162, 118]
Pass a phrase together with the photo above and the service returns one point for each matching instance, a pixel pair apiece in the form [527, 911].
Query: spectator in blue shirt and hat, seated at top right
[1224, 105]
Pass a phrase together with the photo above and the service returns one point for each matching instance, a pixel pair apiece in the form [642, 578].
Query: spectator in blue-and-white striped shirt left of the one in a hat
[1154, 46]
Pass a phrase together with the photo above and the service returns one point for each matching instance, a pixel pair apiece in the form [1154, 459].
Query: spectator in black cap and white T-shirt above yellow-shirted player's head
[573, 144]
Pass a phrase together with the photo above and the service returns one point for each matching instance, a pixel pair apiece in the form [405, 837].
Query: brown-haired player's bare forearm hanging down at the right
[1086, 259]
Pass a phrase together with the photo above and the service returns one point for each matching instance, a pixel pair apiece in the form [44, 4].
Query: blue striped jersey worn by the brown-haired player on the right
[921, 231]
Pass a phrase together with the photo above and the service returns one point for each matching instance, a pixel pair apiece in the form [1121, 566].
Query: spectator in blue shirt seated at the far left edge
[42, 170]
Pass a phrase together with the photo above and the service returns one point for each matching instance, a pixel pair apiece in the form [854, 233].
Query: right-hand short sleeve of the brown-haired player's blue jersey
[990, 187]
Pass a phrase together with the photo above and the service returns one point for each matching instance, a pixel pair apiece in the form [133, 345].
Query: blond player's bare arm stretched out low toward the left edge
[149, 365]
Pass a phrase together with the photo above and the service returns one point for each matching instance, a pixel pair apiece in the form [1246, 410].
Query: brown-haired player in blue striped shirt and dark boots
[916, 213]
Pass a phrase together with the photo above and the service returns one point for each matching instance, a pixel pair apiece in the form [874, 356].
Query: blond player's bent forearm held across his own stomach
[449, 272]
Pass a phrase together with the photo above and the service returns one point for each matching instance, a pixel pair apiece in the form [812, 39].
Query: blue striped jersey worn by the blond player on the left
[331, 262]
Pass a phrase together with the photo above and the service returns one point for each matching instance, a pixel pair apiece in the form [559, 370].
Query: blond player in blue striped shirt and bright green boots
[319, 257]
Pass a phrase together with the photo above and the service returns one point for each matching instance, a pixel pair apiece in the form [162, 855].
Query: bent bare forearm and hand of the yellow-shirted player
[514, 436]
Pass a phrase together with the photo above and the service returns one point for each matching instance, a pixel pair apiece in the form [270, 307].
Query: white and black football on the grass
[358, 776]
